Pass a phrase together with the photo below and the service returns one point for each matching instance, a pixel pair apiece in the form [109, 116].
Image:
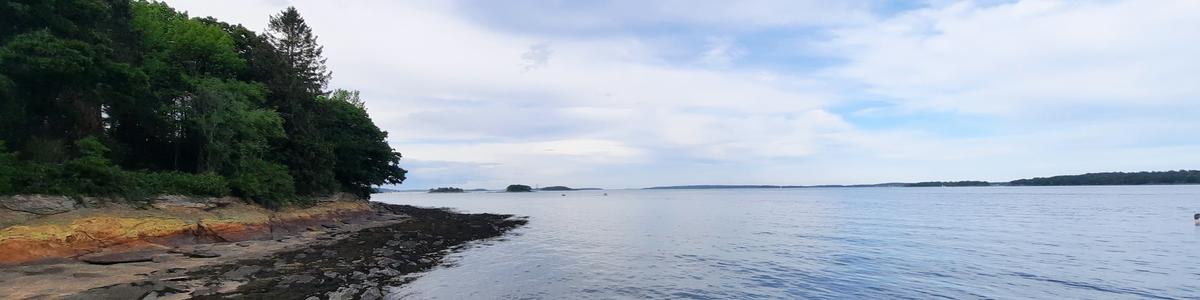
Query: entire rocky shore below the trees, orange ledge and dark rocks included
[184, 248]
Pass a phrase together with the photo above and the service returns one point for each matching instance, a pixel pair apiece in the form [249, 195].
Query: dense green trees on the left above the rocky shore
[134, 99]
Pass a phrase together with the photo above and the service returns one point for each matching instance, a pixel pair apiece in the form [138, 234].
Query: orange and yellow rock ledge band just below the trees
[87, 231]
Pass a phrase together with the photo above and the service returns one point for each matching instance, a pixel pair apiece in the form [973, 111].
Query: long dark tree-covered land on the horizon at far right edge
[1117, 178]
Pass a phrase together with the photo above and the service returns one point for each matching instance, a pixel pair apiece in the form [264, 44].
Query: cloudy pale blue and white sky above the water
[614, 94]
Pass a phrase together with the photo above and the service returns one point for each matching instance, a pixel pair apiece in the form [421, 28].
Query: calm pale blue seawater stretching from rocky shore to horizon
[961, 243]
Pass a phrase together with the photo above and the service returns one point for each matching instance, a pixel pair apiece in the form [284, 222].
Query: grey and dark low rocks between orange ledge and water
[358, 259]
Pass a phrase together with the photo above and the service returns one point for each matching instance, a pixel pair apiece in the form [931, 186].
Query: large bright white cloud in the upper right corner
[1029, 57]
